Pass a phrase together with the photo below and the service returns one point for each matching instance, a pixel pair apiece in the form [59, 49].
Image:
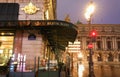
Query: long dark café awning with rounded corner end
[58, 33]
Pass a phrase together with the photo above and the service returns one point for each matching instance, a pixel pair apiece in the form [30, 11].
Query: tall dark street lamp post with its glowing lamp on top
[88, 15]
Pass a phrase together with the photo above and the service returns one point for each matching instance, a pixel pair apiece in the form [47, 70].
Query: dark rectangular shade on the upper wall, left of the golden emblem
[9, 11]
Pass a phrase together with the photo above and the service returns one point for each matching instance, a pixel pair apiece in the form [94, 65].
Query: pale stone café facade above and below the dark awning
[14, 41]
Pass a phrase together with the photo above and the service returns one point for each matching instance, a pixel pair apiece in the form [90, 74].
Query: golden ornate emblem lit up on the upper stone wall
[30, 8]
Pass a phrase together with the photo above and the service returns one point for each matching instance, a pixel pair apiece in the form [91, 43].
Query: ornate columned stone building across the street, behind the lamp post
[106, 49]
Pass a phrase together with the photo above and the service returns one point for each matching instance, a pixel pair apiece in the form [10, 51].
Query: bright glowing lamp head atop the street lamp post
[89, 11]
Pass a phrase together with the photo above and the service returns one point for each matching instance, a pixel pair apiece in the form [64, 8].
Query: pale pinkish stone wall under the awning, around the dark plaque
[32, 48]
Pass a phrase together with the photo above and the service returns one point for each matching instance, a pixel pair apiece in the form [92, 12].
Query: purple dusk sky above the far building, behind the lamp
[106, 11]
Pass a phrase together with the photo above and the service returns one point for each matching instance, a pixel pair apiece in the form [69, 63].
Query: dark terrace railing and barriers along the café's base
[12, 70]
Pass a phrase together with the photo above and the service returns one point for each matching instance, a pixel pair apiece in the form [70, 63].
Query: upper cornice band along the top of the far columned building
[102, 29]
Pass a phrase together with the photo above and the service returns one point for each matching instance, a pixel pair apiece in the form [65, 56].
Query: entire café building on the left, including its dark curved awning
[29, 32]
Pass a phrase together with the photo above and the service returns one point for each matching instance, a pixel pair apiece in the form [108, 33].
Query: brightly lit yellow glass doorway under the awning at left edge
[6, 49]
